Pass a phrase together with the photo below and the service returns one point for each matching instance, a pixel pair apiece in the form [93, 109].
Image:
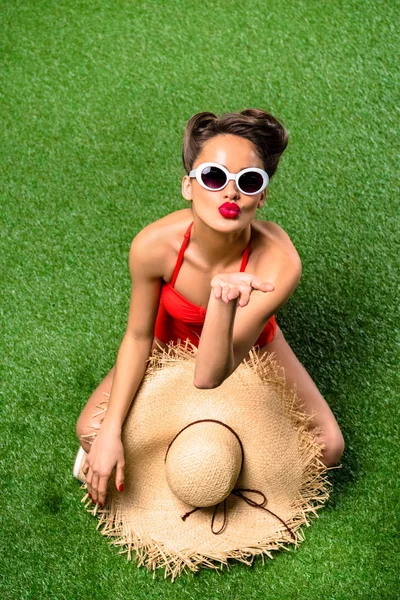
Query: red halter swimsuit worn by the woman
[179, 319]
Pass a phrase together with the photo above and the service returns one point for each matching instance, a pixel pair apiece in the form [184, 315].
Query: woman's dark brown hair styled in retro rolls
[267, 134]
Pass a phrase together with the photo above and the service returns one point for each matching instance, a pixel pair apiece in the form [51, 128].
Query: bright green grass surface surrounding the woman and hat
[94, 98]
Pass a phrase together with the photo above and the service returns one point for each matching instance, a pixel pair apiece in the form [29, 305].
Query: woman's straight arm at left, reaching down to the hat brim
[107, 451]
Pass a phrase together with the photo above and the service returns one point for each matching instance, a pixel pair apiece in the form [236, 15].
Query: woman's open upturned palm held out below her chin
[229, 286]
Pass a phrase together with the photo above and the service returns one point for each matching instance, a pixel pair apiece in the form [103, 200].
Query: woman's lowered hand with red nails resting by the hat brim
[105, 453]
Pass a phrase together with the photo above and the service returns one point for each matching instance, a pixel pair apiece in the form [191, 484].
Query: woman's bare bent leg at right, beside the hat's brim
[330, 437]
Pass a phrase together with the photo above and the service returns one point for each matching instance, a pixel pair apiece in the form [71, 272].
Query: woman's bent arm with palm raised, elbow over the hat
[232, 326]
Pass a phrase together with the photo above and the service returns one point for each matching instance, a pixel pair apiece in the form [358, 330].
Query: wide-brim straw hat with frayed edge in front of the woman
[213, 474]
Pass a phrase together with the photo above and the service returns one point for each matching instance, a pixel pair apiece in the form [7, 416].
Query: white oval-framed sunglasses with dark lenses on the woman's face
[215, 177]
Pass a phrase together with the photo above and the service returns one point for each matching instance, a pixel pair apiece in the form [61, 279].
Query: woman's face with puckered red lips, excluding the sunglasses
[235, 153]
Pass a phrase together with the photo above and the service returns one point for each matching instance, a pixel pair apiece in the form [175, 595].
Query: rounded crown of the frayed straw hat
[203, 463]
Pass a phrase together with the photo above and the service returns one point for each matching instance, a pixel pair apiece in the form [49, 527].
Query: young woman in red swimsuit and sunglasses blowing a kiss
[211, 273]
